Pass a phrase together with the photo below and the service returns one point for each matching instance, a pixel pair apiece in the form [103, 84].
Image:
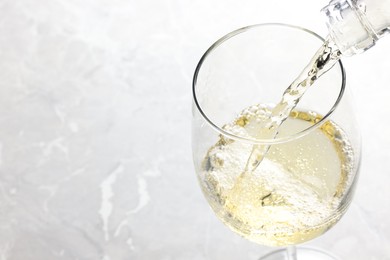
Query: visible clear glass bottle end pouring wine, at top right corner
[355, 25]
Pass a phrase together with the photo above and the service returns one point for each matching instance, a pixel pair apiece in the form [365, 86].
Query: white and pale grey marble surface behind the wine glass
[95, 110]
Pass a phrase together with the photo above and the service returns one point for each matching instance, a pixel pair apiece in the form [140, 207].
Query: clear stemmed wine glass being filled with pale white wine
[308, 174]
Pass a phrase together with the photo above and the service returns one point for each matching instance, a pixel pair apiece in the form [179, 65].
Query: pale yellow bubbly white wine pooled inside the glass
[296, 193]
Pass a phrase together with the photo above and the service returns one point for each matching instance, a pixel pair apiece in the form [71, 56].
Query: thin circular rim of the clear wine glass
[275, 140]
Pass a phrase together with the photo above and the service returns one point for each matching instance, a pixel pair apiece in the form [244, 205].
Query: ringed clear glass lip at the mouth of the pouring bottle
[349, 26]
